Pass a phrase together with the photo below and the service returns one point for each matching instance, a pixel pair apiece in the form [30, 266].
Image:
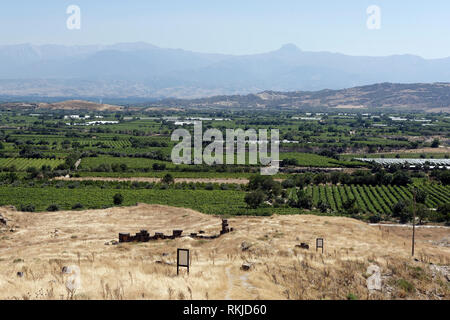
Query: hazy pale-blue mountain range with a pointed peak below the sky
[141, 70]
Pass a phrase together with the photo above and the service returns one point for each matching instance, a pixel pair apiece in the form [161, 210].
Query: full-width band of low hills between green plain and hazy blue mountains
[378, 97]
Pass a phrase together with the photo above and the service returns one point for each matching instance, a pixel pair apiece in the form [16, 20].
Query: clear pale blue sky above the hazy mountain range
[236, 26]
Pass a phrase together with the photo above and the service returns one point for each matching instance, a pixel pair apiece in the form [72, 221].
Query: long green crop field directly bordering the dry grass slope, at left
[220, 202]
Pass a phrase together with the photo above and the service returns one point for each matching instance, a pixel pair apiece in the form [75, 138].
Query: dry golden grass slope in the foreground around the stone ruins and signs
[39, 245]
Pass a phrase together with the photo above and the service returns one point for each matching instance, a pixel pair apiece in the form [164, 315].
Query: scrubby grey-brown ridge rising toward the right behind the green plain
[378, 97]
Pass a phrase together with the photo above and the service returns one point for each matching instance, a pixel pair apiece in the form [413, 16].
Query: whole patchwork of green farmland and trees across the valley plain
[36, 149]
